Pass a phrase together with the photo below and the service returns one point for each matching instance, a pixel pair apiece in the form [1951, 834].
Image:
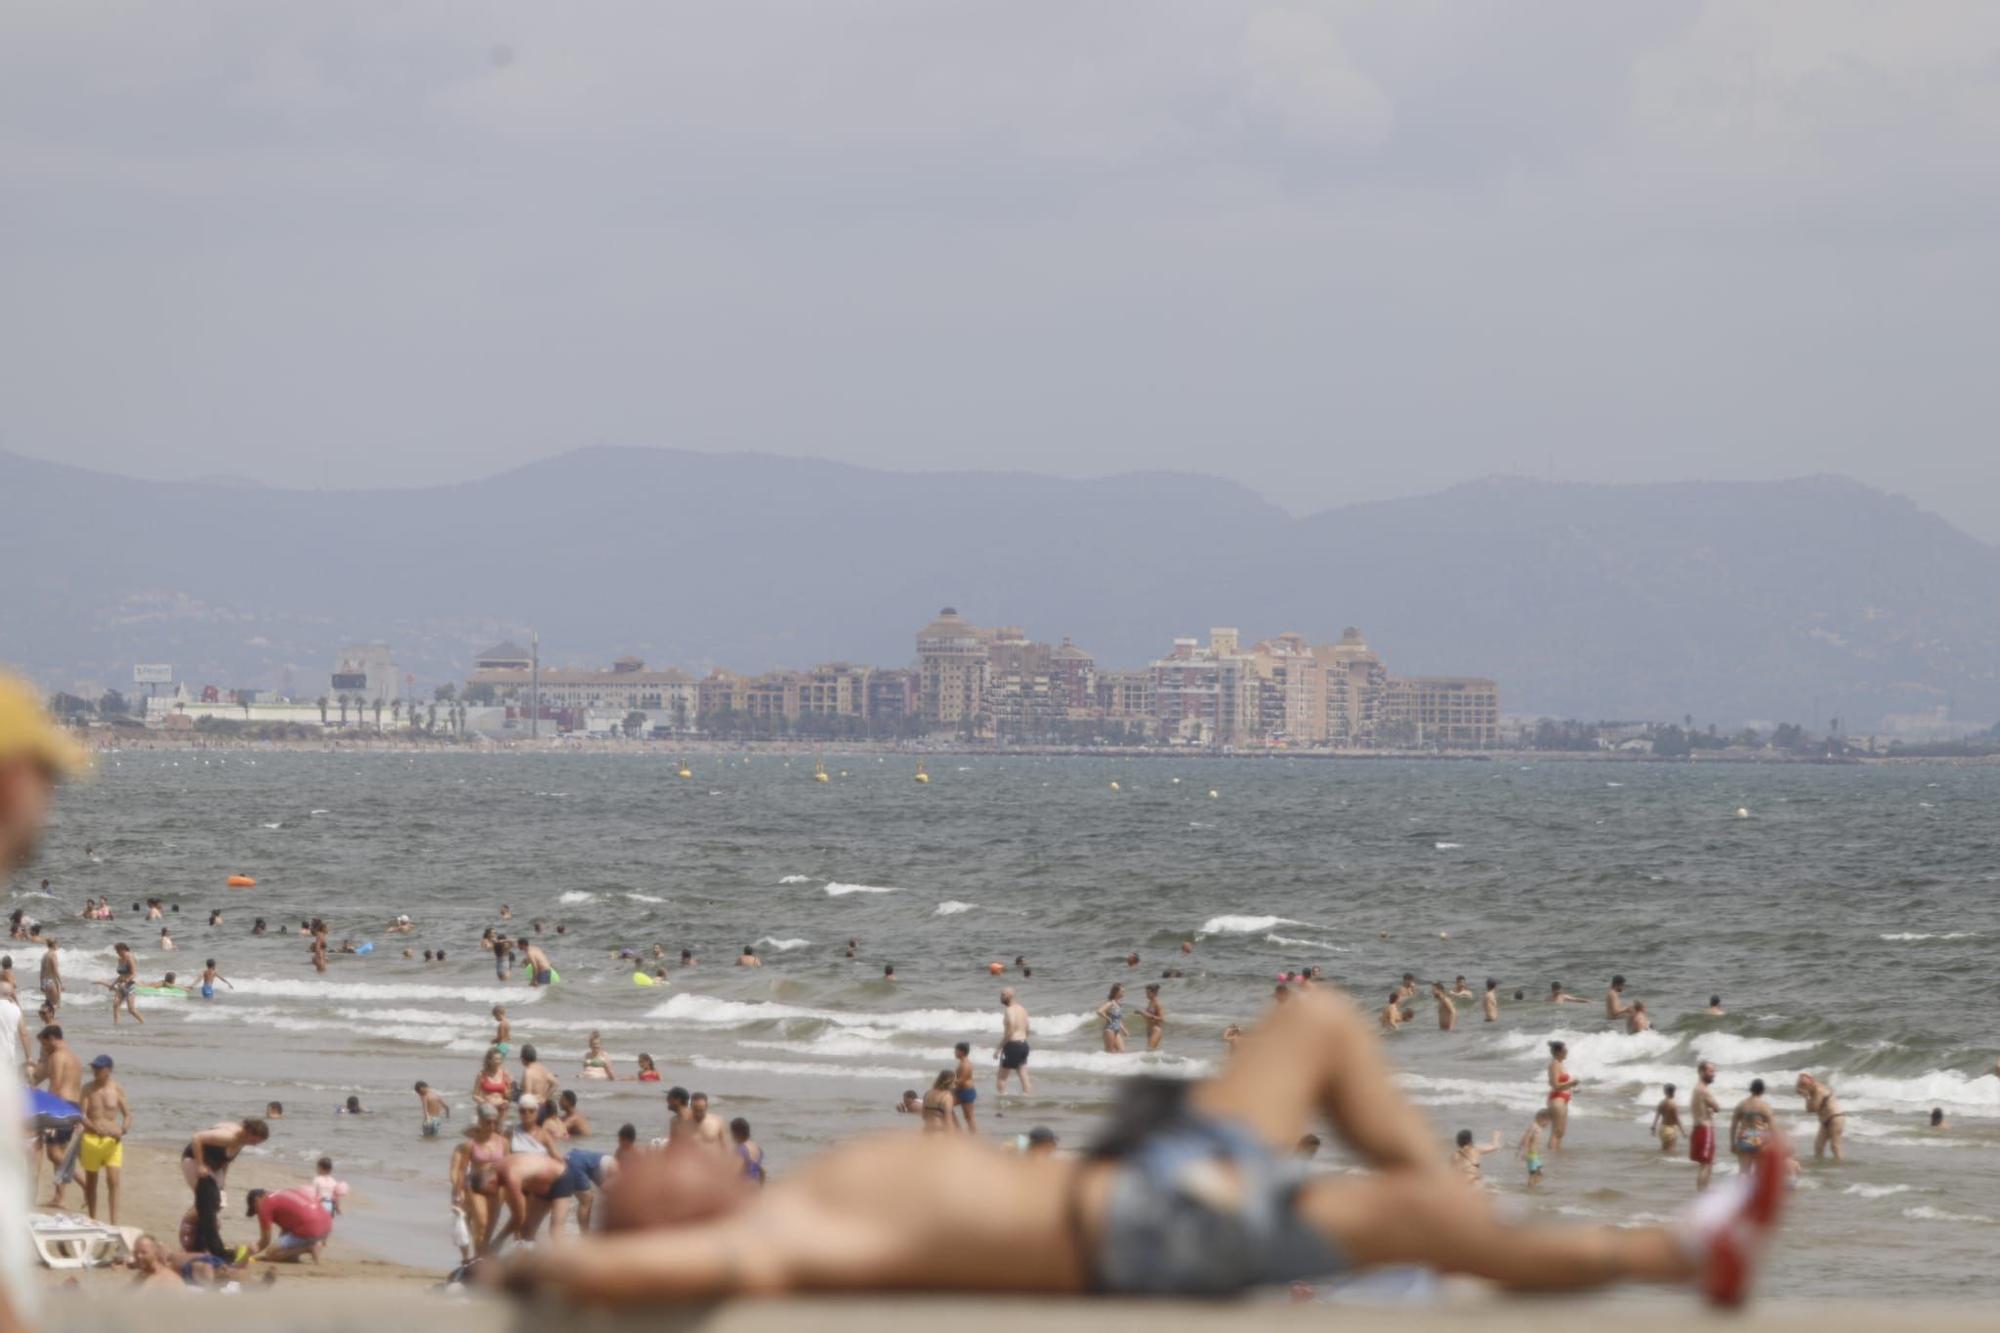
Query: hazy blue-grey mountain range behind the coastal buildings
[1725, 601]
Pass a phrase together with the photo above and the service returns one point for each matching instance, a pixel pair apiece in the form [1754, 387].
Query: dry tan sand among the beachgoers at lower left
[155, 1198]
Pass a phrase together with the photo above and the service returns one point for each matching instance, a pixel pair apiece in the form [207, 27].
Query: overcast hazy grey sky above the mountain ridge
[1335, 251]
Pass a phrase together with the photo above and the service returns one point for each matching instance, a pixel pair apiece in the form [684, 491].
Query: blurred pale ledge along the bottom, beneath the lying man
[363, 1308]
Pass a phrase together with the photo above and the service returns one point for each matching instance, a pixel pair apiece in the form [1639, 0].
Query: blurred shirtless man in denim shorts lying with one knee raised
[1193, 1192]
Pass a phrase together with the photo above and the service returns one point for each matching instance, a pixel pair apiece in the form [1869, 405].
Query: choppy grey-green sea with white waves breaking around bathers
[1847, 918]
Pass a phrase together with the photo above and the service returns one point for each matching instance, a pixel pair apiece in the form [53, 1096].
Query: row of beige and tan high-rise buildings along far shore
[965, 682]
